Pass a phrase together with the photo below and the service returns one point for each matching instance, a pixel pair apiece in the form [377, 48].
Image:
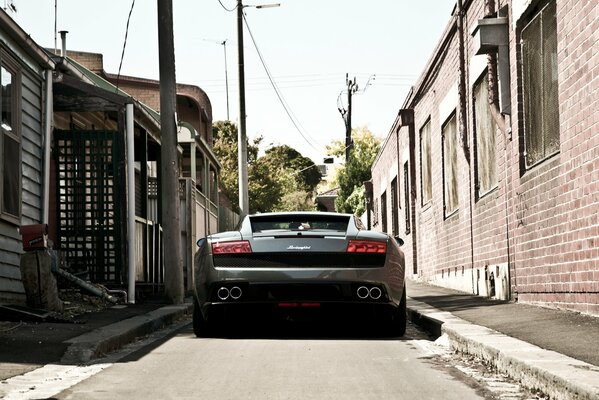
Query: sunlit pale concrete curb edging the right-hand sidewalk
[555, 374]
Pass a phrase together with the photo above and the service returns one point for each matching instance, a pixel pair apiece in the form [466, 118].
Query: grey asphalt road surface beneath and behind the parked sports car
[289, 364]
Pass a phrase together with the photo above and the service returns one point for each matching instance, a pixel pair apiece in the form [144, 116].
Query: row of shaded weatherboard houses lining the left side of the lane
[70, 144]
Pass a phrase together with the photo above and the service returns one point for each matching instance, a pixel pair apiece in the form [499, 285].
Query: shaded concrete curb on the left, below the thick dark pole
[103, 340]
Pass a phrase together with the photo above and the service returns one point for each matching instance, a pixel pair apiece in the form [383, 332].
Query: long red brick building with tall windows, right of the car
[490, 172]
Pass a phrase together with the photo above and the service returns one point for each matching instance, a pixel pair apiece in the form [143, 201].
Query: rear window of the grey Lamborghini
[265, 224]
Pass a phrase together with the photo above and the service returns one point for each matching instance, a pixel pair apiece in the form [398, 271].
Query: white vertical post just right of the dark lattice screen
[130, 203]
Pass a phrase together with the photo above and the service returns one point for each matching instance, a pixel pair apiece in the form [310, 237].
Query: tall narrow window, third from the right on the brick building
[450, 166]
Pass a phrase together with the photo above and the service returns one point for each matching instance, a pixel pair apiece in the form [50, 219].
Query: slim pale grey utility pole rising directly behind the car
[244, 204]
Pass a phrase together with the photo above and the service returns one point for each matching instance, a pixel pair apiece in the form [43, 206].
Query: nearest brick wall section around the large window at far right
[557, 203]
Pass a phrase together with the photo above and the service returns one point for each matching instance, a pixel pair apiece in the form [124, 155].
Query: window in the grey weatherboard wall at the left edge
[10, 140]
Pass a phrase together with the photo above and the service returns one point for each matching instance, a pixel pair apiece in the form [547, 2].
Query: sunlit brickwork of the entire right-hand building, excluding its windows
[542, 223]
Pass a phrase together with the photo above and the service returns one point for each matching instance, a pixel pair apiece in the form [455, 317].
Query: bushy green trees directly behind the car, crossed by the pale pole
[281, 180]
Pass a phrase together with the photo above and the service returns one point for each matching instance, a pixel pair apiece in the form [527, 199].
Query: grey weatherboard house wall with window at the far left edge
[26, 81]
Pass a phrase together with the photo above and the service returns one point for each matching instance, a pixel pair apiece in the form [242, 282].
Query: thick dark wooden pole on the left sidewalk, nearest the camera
[169, 170]
